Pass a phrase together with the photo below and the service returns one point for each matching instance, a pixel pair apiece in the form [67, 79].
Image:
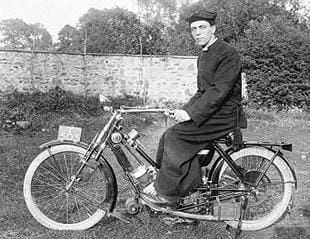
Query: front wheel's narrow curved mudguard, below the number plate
[85, 146]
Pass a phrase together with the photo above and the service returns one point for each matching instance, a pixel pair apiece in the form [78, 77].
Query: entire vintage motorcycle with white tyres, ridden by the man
[71, 185]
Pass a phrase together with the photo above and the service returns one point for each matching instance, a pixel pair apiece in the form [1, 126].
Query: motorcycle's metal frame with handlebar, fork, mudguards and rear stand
[222, 146]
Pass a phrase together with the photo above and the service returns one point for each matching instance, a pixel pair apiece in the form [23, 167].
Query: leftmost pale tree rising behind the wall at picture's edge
[19, 35]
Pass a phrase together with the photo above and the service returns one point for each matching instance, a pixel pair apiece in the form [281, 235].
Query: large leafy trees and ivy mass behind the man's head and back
[274, 43]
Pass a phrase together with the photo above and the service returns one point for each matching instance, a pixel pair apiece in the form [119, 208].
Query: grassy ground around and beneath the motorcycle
[18, 149]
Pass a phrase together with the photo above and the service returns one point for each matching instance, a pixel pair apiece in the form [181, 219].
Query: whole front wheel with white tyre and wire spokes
[77, 209]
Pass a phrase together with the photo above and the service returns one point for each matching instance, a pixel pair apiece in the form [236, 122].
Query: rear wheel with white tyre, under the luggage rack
[269, 202]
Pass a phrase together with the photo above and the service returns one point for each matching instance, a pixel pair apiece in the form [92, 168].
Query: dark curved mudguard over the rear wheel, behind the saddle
[216, 167]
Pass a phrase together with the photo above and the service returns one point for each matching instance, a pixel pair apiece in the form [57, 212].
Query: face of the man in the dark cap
[202, 32]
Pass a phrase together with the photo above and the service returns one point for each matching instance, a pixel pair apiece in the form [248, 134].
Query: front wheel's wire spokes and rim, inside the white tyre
[53, 200]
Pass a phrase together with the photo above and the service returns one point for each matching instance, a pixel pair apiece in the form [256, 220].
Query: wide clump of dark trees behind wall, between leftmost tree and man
[113, 31]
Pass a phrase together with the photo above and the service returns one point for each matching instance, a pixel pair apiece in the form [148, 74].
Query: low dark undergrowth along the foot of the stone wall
[48, 110]
